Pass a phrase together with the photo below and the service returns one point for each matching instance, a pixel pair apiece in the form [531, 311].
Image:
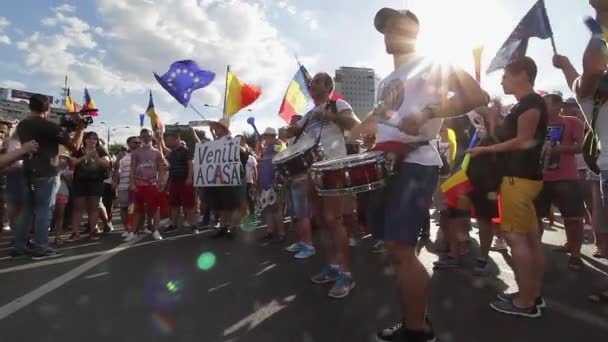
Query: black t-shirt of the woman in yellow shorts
[525, 163]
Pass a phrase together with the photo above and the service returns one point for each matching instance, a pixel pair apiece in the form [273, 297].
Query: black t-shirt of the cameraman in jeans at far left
[49, 136]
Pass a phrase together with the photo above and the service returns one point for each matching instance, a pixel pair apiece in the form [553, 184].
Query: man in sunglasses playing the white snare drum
[327, 123]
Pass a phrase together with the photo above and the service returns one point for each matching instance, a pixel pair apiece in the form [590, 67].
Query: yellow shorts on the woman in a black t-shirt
[517, 211]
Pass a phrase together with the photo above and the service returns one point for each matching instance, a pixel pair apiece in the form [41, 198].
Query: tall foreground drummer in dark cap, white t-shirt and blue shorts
[413, 99]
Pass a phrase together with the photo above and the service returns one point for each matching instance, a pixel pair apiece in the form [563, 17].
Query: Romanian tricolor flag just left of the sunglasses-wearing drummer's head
[297, 95]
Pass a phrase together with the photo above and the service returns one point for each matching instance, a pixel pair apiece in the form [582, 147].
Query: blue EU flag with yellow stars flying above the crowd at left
[183, 78]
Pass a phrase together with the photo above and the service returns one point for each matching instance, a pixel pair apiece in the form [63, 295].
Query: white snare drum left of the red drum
[298, 158]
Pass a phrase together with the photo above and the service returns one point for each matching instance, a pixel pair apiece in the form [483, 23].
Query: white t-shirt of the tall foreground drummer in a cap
[407, 91]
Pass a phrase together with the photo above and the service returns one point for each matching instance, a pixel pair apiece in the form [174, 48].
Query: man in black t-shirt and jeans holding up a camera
[42, 177]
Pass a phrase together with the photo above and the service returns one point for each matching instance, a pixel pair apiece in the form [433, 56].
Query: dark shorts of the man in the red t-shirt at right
[567, 196]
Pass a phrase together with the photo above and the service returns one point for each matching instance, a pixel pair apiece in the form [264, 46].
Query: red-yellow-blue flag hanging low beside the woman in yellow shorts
[458, 185]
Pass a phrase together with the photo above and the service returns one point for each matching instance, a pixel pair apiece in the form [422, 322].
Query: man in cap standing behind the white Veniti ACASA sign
[225, 200]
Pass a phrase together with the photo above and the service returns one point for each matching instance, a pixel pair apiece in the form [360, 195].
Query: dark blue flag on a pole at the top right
[534, 24]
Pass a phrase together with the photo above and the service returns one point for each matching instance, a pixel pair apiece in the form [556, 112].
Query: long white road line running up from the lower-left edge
[30, 297]
